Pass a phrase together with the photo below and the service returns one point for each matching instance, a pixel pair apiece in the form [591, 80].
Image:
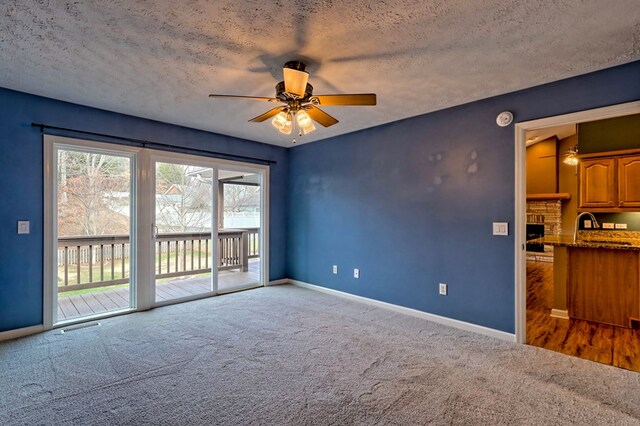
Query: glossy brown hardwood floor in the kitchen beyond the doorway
[602, 343]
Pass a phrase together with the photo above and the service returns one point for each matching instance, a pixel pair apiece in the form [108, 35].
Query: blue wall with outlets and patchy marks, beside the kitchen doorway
[411, 203]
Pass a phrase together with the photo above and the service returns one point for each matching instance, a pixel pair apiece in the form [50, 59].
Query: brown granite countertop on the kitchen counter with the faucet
[615, 240]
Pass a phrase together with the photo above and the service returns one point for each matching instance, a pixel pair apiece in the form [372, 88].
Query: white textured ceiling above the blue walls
[160, 59]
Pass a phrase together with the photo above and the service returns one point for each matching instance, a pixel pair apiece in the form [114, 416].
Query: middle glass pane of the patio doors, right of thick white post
[183, 230]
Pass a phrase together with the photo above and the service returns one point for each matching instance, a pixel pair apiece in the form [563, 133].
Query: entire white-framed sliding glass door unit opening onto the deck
[131, 228]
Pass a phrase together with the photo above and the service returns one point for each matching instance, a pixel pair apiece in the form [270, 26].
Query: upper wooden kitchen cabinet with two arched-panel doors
[610, 184]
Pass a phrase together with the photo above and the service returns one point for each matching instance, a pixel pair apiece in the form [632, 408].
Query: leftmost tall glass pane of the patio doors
[93, 208]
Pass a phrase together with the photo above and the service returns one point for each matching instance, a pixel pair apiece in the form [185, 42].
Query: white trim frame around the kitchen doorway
[520, 221]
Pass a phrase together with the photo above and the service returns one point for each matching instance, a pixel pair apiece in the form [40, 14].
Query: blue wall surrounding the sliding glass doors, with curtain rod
[21, 174]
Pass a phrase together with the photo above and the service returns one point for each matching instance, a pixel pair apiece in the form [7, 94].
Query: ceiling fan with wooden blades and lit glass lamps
[301, 106]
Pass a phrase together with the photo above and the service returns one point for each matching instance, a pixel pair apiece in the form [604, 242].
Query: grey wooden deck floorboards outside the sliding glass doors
[112, 299]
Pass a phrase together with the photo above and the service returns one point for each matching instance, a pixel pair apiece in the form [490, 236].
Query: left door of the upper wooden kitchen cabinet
[597, 183]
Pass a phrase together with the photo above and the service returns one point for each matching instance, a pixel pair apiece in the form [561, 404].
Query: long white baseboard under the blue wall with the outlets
[462, 325]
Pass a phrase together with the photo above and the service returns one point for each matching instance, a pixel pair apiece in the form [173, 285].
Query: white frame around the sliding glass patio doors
[143, 190]
